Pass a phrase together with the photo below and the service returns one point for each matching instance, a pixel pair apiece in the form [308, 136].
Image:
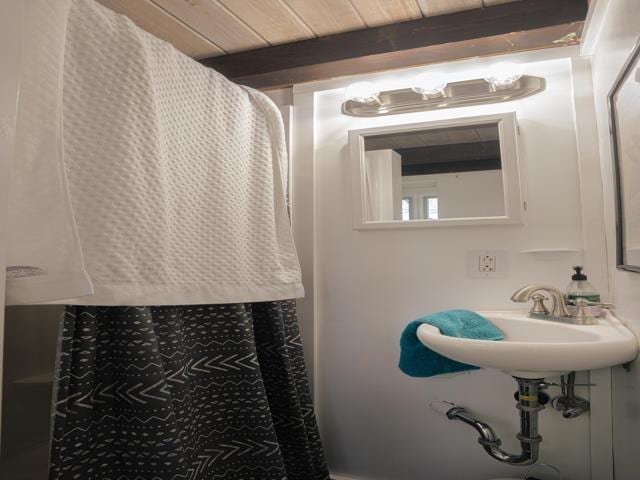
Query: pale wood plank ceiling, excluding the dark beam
[208, 28]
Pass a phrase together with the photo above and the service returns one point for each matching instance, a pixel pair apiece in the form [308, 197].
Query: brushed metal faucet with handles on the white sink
[559, 311]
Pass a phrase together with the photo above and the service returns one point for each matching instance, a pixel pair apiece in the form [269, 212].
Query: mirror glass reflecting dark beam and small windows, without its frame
[436, 173]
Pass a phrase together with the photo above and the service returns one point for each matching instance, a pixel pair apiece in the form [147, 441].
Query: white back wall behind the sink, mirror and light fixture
[375, 421]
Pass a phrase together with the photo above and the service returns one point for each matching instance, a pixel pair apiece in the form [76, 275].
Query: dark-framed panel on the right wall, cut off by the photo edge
[624, 109]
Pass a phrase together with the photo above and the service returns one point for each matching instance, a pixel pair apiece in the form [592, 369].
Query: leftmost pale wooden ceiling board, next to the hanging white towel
[158, 22]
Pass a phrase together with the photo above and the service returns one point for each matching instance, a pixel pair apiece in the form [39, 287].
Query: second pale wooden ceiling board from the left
[215, 22]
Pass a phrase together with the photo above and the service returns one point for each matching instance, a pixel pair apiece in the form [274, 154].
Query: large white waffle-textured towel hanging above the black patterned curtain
[174, 177]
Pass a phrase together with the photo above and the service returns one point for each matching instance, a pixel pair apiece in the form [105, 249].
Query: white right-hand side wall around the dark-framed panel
[613, 31]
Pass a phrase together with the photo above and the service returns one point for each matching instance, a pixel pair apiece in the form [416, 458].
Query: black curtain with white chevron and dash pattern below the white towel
[199, 392]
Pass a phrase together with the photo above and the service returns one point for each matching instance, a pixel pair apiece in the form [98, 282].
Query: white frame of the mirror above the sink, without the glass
[508, 132]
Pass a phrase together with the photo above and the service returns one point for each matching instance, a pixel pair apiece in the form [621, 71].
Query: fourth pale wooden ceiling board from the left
[325, 17]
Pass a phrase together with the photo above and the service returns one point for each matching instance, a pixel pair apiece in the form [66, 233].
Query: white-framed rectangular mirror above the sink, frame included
[451, 172]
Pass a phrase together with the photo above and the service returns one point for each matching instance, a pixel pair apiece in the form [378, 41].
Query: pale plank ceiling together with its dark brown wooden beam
[278, 43]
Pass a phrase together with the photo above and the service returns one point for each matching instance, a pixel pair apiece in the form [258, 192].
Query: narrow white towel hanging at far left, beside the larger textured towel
[44, 258]
